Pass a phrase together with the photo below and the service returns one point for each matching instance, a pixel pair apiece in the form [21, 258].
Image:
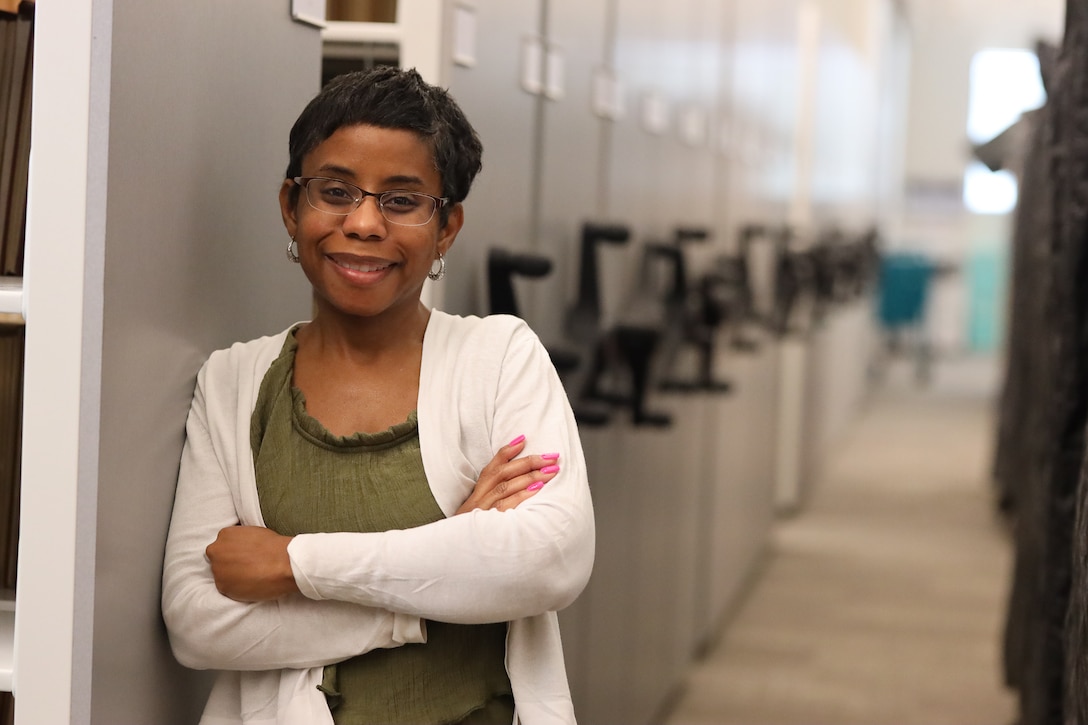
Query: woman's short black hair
[393, 99]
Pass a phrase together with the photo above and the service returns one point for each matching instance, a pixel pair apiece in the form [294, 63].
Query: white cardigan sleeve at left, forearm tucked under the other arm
[209, 631]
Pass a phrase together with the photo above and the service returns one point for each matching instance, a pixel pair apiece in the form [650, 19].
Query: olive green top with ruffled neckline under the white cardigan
[311, 481]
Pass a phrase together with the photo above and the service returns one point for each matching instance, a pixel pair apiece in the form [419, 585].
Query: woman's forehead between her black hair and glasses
[367, 153]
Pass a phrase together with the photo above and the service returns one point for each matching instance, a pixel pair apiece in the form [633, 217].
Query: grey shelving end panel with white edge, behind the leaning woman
[165, 125]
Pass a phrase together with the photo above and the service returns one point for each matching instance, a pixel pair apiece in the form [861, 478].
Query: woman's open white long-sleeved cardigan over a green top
[484, 382]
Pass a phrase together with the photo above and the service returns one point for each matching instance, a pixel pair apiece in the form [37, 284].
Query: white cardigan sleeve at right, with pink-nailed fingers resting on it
[486, 566]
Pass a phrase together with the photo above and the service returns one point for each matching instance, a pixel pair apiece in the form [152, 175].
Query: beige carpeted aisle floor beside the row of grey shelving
[884, 600]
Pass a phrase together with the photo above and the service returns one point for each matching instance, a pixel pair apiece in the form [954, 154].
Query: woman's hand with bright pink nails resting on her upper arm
[508, 482]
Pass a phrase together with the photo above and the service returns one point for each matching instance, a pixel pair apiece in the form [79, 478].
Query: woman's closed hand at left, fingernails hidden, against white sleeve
[251, 564]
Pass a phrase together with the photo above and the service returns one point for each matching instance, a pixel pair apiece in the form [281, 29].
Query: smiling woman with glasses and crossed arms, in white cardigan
[361, 532]
